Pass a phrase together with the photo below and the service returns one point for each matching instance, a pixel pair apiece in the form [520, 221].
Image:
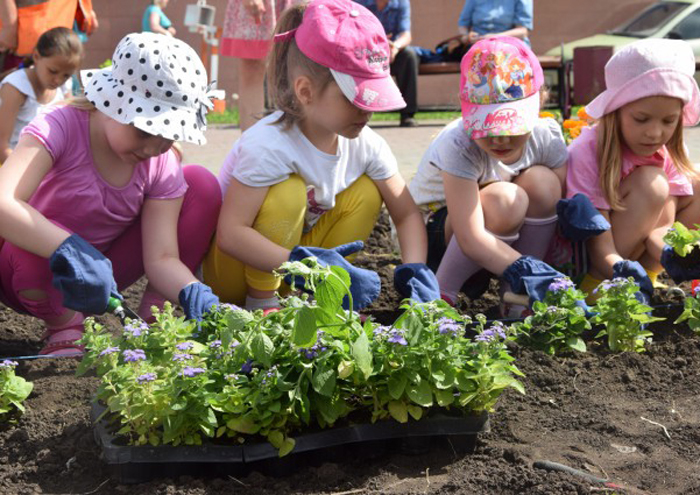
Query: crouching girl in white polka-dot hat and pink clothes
[93, 196]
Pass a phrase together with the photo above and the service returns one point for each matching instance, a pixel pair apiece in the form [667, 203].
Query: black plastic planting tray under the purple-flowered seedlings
[136, 464]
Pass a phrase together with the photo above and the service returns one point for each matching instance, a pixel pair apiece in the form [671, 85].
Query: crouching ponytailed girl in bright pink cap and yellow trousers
[312, 174]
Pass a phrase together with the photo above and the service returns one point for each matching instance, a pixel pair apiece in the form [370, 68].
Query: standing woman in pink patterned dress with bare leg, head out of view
[247, 35]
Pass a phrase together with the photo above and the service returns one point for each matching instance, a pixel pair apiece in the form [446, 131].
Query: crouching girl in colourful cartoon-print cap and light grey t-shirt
[490, 181]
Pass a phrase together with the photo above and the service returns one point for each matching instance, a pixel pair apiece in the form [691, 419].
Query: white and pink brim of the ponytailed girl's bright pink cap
[371, 95]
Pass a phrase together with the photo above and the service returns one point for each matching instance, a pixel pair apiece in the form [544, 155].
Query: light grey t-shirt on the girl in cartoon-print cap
[452, 151]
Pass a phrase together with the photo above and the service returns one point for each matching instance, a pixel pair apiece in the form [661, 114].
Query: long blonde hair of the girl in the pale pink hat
[609, 154]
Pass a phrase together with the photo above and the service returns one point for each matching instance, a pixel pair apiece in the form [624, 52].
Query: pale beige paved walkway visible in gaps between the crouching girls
[408, 144]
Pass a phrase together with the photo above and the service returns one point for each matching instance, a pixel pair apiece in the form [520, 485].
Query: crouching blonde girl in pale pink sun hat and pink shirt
[633, 164]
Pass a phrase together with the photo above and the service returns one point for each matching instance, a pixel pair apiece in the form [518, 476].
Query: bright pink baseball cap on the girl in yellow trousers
[348, 39]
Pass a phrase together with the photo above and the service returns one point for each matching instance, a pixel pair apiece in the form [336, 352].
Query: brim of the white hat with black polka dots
[146, 114]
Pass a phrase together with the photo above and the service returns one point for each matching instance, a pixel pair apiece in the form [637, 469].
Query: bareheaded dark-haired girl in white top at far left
[24, 92]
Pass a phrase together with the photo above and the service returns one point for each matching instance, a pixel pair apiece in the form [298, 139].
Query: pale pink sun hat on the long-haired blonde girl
[651, 67]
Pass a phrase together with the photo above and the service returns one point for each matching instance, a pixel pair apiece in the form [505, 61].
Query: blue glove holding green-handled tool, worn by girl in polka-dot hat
[83, 275]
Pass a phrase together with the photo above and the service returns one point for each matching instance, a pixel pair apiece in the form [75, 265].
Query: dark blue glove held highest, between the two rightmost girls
[579, 219]
